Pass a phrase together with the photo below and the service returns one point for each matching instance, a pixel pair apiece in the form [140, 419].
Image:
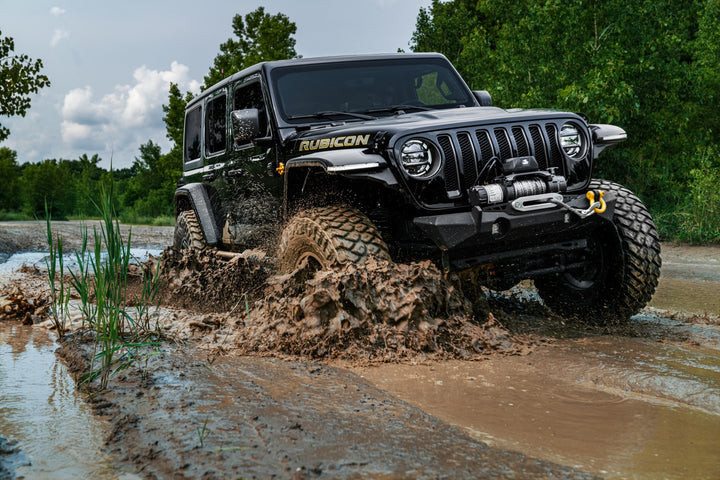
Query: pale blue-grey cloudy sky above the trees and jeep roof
[111, 63]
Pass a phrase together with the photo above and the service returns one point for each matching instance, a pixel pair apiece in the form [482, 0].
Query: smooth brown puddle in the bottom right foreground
[617, 407]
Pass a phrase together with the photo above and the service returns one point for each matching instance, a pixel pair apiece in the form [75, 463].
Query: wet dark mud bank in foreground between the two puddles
[183, 415]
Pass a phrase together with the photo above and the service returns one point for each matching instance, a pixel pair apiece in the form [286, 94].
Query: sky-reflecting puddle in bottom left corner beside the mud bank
[55, 430]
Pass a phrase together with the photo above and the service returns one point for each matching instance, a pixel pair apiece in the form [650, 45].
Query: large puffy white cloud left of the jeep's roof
[125, 118]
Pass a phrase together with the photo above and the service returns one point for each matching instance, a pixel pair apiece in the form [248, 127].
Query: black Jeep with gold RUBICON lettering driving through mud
[335, 159]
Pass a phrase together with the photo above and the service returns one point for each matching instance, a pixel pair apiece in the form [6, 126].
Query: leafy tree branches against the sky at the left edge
[20, 77]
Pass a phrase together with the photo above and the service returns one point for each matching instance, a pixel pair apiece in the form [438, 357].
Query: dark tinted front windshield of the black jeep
[376, 87]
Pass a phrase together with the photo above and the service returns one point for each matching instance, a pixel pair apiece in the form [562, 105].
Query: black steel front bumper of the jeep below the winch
[501, 234]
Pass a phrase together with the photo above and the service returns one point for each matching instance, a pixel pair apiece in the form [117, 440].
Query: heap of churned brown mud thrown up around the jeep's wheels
[378, 311]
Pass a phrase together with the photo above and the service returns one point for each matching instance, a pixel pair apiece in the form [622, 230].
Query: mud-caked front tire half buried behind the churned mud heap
[327, 236]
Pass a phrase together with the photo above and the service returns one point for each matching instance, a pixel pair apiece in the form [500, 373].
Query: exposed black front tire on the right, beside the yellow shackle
[625, 271]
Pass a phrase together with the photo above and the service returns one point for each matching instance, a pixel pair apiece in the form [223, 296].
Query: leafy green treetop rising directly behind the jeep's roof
[260, 37]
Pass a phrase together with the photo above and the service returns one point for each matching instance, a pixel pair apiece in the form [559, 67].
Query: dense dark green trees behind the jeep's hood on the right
[649, 66]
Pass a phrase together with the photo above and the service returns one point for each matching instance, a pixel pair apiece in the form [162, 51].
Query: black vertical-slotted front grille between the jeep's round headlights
[467, 152]
